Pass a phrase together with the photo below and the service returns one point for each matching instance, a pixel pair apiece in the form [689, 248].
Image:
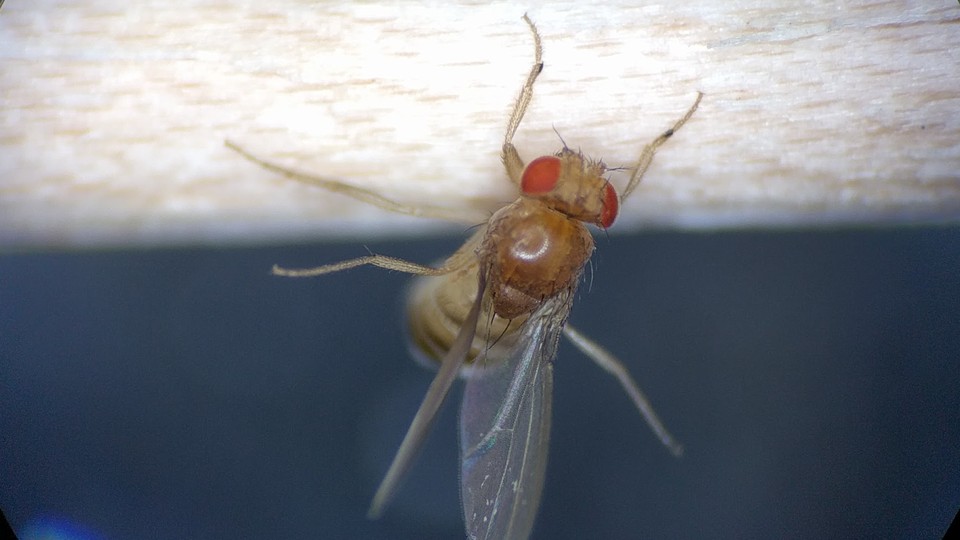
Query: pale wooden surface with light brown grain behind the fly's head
[113, 116]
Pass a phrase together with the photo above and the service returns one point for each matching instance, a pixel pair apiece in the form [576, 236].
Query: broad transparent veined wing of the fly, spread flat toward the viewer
[505, 429]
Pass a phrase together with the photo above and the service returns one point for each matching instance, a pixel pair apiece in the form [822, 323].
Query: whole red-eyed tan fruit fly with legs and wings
[494, 312]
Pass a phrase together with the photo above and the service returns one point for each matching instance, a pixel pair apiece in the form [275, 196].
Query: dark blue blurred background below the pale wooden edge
[812, 376]
